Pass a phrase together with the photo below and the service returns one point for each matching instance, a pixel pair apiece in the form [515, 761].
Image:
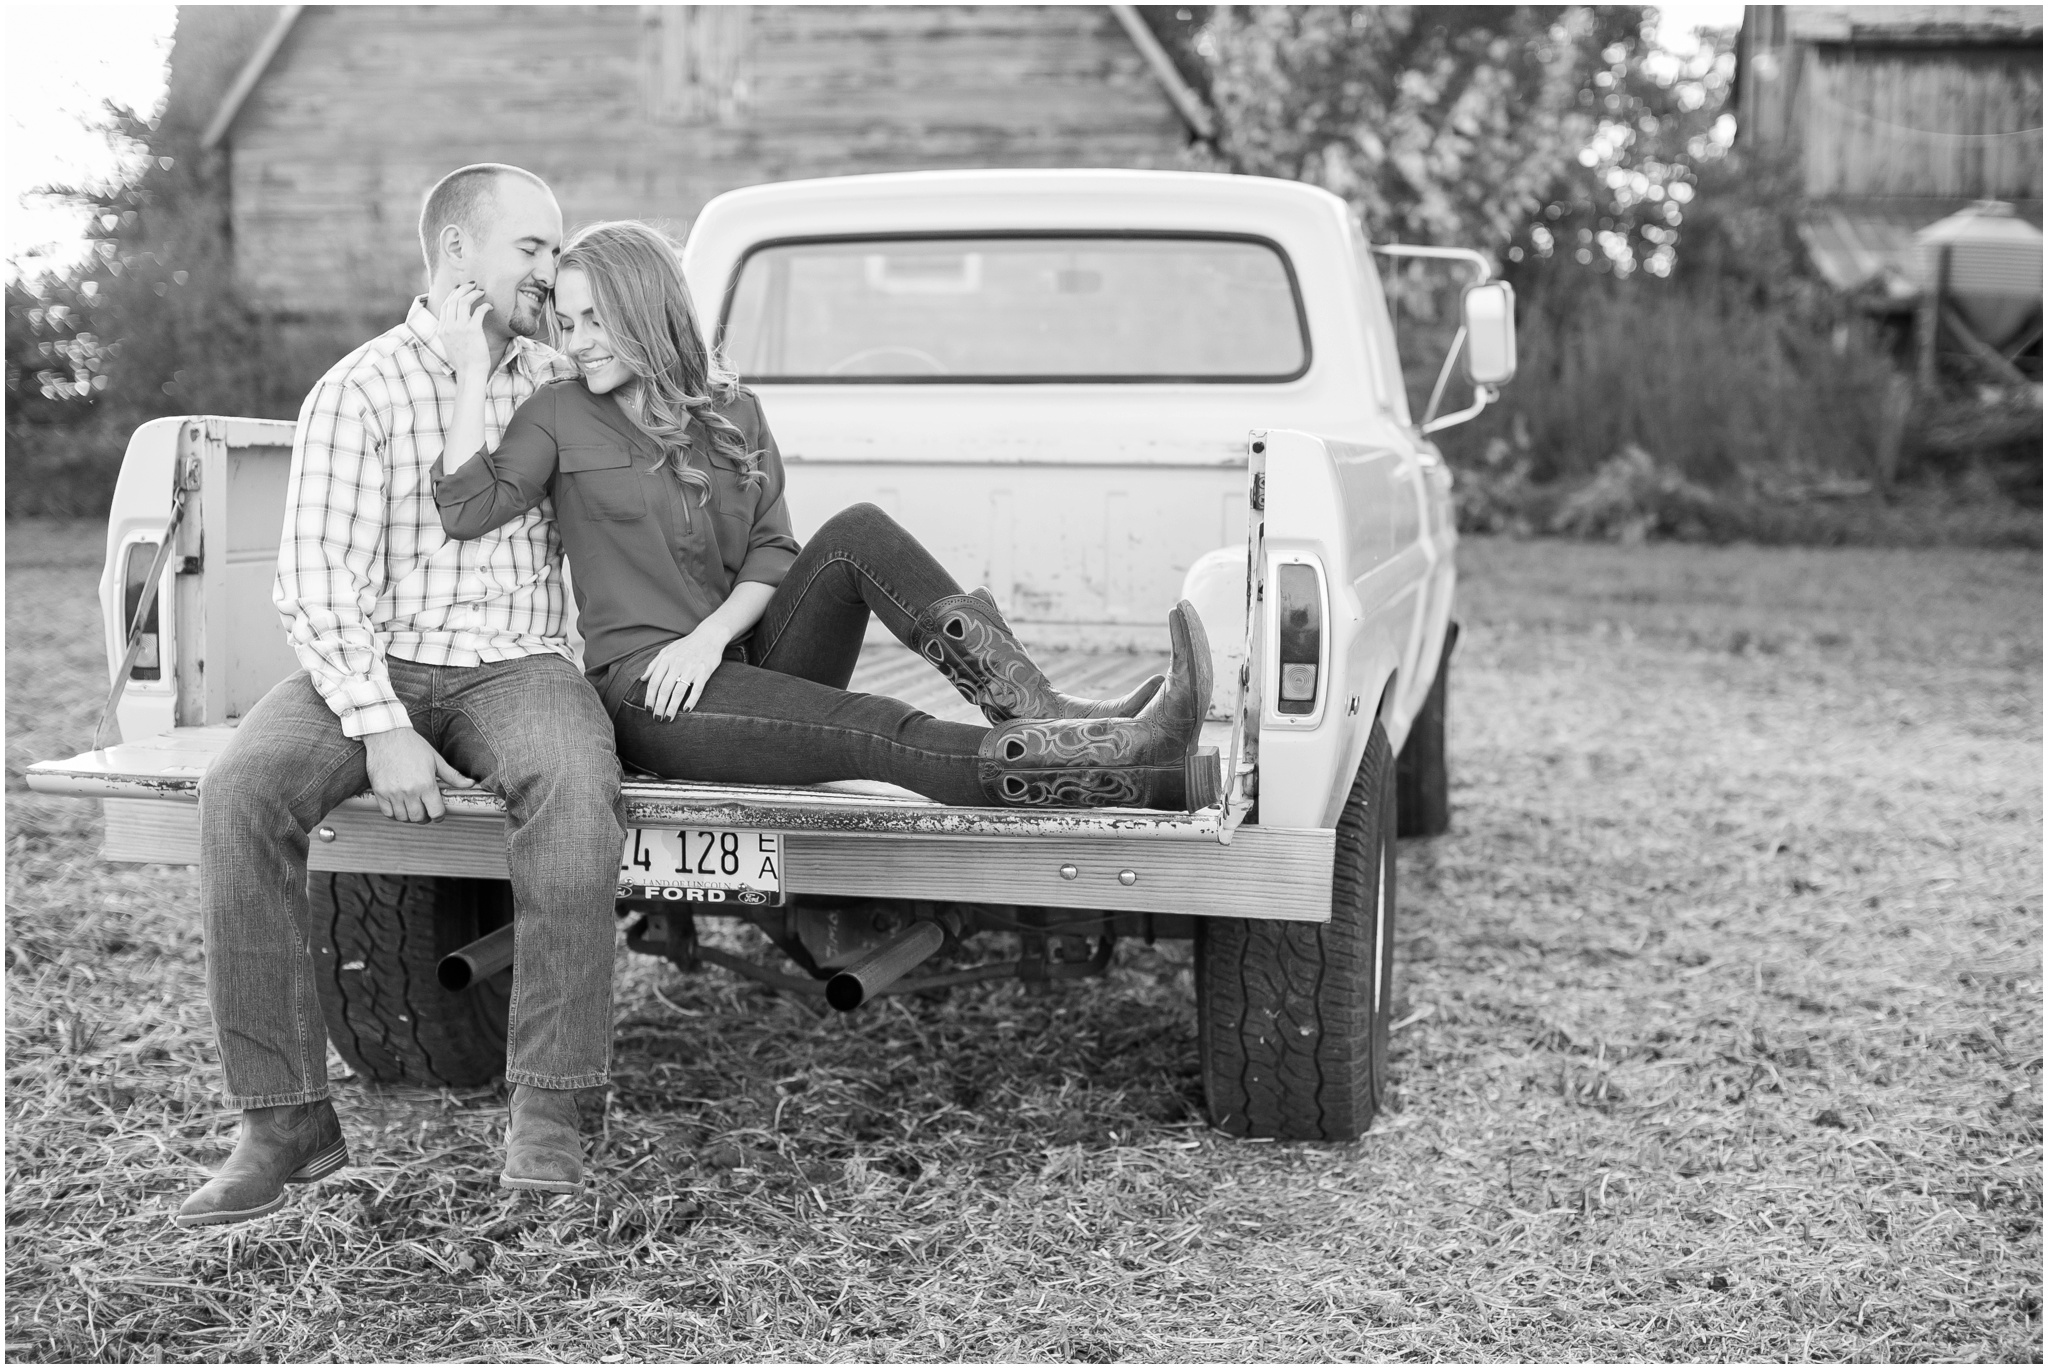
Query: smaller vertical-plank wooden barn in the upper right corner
[1897, 116]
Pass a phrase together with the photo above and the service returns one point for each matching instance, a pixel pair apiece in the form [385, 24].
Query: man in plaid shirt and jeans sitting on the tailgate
[427, 663]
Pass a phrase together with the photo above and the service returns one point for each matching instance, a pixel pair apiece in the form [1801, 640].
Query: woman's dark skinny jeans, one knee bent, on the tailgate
[785, 716]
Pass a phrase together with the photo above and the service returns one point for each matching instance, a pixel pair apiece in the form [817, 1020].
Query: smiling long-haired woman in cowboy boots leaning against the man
[720, 647]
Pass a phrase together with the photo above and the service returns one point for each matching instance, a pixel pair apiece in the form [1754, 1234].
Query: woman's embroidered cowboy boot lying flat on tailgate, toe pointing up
[1148, 761]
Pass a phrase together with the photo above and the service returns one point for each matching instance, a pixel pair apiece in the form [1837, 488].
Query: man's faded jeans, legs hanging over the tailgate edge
[529, 731]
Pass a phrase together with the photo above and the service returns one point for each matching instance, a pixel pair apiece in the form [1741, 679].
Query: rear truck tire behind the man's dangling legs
[378, 942]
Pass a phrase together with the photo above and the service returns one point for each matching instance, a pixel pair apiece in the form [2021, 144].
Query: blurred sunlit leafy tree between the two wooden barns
[1553, 136]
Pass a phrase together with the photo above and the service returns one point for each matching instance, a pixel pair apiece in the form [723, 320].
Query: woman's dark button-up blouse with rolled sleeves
[648, 561]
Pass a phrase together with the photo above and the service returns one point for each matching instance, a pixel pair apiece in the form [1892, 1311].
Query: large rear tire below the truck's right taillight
[1293, 1015]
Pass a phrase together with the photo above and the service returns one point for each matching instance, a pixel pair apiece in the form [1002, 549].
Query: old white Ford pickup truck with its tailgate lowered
[1093, 390]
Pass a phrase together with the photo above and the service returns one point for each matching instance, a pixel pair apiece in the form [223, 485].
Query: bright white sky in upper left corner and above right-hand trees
[69, 58]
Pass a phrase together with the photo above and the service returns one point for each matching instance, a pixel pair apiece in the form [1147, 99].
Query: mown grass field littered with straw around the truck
[1721, 1038]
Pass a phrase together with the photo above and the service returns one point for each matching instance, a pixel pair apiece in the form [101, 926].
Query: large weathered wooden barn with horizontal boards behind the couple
[345, 116]
